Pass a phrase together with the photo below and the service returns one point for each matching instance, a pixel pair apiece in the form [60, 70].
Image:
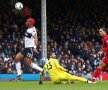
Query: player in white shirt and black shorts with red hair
[30, 43]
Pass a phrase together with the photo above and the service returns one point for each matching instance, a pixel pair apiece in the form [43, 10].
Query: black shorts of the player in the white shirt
[27, 52]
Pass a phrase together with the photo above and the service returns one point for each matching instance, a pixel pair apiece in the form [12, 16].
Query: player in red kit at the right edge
[104, 62]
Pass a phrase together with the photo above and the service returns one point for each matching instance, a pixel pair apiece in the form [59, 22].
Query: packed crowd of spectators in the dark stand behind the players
[72, 34]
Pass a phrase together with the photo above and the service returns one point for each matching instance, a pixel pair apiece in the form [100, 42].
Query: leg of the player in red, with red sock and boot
[101, 67]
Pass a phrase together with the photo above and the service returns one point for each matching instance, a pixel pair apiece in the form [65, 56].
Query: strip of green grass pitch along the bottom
[102, 85]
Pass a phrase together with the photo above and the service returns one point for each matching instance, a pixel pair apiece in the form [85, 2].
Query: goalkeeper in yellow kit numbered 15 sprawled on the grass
[58, 74]
